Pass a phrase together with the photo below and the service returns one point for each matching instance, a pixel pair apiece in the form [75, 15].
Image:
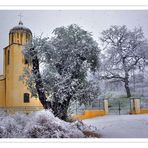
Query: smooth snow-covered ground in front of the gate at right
[121, 126]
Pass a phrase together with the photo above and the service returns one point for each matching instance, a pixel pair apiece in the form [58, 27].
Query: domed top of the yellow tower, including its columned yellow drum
[20, 34]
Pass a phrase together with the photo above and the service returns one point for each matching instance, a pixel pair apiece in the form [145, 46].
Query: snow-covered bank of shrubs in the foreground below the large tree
[41, 124]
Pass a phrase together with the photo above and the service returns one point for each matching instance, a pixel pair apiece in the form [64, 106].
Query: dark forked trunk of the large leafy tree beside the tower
[59, 109]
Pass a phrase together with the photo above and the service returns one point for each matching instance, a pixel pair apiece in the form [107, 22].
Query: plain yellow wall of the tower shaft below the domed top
[15, 88]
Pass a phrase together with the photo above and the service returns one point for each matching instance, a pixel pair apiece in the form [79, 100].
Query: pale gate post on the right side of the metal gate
[135, 106]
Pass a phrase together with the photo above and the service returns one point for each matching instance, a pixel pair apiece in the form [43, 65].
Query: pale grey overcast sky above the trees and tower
[44, 21]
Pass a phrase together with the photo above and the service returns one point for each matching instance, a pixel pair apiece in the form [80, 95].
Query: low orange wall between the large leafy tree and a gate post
[89, 114]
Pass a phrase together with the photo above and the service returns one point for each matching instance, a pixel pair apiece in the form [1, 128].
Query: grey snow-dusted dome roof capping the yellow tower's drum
[20, 27]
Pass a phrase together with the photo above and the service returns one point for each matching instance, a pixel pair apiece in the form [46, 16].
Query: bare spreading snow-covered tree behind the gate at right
[124, 51]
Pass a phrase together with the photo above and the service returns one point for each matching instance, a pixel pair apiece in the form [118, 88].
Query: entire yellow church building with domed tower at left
[13, 92]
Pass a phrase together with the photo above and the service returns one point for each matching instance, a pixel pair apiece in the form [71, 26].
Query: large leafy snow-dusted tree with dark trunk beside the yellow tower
[65, 59]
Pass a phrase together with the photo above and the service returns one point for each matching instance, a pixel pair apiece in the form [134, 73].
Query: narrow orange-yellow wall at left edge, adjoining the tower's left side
[2, 92]
